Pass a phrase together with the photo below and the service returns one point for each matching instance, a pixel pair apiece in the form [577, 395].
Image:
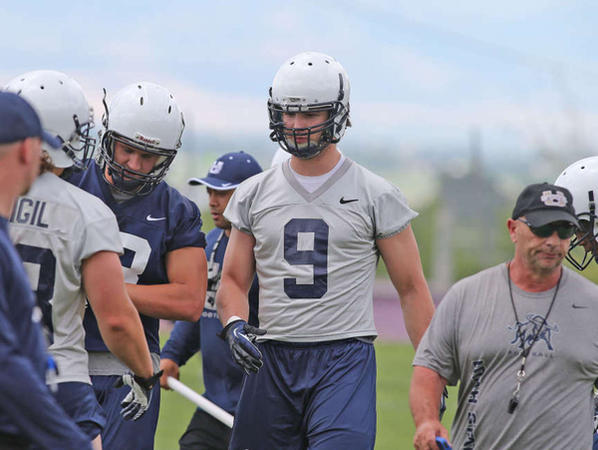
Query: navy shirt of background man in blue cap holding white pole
[221, 375]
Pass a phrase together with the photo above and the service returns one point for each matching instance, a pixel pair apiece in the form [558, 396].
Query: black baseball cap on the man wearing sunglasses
[544, 203]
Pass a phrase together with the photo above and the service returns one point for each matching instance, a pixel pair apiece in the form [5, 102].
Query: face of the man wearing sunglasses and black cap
[540, 254]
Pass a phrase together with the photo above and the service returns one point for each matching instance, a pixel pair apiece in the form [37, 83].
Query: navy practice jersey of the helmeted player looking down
[150, 227]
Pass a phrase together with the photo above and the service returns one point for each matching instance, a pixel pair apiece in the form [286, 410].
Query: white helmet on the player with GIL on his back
[63, 111]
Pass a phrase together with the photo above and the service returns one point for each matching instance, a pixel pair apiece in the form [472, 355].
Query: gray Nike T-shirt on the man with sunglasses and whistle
[474, 338]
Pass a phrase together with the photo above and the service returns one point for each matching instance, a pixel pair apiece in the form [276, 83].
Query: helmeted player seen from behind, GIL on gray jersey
[70, 244]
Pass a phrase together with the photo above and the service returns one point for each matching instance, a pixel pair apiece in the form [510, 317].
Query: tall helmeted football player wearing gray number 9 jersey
[313, 229]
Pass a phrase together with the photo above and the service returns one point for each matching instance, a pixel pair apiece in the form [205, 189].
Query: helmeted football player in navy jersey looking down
[164, 260]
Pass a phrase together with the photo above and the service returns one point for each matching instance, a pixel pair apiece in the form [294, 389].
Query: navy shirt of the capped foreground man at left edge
[28, 410]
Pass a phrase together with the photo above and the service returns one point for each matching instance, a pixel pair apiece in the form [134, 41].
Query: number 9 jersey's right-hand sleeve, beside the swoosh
[391, 213]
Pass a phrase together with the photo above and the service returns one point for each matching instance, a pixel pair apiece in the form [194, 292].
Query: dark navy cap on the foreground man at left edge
[19, 121]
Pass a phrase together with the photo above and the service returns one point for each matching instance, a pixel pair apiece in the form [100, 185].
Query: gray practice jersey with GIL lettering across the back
[55, 227]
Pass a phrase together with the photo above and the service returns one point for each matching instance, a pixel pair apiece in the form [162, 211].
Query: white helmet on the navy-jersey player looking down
[144, 116]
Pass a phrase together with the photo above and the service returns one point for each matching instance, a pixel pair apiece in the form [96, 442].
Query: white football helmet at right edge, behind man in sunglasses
[581, 178]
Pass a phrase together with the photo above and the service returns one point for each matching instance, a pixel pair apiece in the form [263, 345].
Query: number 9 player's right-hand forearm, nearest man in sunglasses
[418, 309]
